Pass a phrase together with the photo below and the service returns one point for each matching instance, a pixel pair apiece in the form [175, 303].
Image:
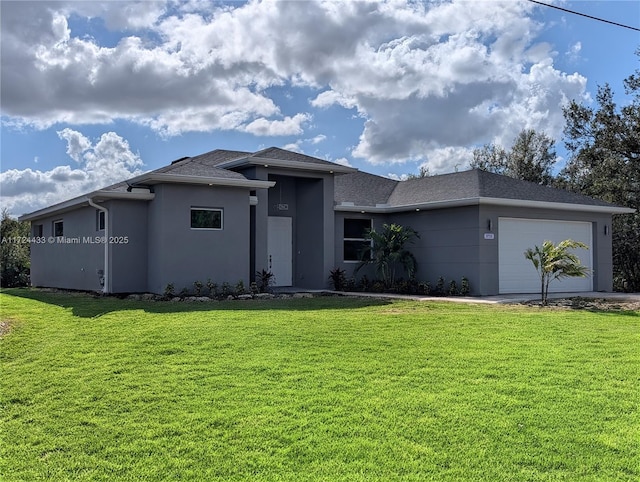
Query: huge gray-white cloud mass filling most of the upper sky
[424, 76]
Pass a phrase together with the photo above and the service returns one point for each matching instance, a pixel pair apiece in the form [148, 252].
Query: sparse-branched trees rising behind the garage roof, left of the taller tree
[531, 158]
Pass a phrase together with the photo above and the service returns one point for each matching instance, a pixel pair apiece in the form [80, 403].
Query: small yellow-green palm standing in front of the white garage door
[556, 262]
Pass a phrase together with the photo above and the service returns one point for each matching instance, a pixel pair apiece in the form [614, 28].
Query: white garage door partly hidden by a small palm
[517, 274]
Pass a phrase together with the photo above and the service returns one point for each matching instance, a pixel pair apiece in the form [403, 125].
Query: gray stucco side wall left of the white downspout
[72, 264]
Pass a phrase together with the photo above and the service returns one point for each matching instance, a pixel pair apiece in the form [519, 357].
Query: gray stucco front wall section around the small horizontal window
[180, 255]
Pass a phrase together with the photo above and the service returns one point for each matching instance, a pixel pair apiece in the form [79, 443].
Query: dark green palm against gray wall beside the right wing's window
[388, 251]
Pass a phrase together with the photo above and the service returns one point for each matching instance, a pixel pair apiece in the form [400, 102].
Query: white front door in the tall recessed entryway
[280, 249]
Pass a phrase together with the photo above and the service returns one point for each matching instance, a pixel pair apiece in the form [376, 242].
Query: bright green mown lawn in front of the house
[316, 389]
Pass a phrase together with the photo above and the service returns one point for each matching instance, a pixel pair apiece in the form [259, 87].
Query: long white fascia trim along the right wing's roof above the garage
[349, 207]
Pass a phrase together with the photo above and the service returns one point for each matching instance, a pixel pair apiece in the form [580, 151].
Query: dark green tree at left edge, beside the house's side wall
[14, 253]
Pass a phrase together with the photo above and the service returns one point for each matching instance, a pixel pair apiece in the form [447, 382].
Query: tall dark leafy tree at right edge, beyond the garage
[604, 146]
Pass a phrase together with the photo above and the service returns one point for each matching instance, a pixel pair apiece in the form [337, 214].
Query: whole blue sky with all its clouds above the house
[95, 92]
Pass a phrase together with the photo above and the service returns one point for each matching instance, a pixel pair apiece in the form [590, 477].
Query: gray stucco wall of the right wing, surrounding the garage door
[452, 243]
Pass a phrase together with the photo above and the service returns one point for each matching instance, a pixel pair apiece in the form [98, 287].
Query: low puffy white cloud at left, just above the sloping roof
[100, 164]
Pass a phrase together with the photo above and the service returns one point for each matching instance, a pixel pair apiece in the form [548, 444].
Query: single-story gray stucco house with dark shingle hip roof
[225, 214]
